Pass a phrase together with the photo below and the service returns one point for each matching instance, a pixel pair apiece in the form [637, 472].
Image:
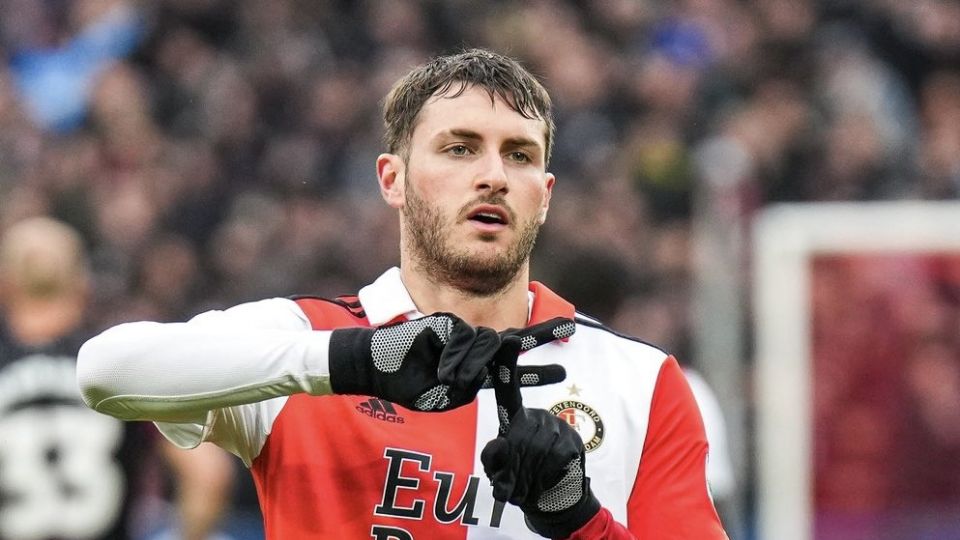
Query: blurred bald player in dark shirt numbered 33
[65, 471]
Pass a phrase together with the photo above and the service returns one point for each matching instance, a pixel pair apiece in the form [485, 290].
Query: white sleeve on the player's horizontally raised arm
[223, 376]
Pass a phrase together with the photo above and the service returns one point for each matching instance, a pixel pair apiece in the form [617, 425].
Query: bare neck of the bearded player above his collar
[508, 308]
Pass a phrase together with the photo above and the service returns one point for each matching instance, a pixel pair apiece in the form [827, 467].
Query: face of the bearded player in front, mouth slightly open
[475, 191]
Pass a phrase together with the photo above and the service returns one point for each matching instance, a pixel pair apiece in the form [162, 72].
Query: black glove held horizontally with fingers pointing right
[435, 363]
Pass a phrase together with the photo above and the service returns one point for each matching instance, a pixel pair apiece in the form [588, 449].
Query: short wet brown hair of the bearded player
[499, 75]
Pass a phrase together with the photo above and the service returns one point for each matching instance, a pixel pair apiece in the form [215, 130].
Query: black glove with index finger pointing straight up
[538, 461]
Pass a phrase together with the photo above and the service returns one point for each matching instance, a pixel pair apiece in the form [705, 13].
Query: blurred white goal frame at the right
[787, 240]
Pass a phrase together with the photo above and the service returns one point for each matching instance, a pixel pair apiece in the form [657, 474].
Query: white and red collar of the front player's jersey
[387, 299]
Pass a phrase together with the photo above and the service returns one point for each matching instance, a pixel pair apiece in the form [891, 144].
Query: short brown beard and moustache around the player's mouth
[470, 272]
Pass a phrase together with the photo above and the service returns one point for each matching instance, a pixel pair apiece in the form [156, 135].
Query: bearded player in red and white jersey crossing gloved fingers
[365, 417]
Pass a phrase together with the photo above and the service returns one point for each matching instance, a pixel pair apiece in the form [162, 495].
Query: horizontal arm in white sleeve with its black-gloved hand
[177, 372]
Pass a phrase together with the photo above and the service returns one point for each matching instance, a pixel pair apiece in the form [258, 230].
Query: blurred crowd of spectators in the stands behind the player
[217, 151]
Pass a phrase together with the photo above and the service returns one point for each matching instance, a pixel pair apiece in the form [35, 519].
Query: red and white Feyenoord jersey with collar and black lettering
[329, 466]
